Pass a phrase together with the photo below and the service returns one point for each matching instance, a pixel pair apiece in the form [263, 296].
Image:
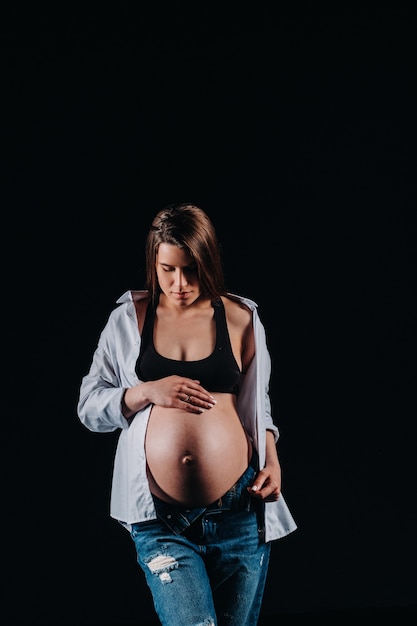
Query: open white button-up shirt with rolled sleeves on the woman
[112, 371]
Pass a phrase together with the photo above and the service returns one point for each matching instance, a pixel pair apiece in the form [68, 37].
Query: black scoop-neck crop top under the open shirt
[217, 372]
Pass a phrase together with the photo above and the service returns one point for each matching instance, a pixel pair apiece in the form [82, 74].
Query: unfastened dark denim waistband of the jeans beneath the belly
[237, 498]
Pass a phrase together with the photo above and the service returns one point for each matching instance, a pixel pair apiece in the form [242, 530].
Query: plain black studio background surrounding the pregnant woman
[293, 126]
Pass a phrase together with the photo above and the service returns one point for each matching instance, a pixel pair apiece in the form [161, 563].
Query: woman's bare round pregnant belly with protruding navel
[194, 459]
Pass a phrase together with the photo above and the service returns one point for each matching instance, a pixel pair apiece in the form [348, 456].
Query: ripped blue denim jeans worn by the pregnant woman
[206, 566]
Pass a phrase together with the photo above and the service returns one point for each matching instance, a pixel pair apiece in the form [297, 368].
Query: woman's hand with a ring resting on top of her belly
[174, 391]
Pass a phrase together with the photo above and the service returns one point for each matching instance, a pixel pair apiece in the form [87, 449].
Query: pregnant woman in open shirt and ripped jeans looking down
[182, 369]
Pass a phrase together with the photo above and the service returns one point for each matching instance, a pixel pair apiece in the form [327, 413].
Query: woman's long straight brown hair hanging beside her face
[186, 226]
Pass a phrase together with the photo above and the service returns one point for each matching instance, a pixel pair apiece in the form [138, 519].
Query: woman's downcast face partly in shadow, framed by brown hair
[177, 275]
